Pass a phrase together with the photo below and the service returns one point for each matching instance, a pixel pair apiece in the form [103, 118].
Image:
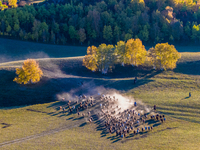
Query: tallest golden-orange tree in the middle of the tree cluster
[135, 52]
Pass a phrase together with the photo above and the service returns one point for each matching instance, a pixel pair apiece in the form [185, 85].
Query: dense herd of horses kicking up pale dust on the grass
[113, 116]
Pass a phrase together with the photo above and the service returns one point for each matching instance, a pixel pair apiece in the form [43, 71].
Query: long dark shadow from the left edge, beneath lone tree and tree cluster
[13, 94]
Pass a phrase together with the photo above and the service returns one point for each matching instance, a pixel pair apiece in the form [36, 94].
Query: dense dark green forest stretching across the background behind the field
[95, 21]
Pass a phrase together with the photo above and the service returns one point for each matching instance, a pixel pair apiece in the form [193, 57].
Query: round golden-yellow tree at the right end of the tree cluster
[164, 56]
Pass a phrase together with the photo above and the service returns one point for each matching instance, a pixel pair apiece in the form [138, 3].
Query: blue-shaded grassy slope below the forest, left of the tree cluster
[13, 50]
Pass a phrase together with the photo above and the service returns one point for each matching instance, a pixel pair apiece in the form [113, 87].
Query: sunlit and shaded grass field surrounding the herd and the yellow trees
[30, 119]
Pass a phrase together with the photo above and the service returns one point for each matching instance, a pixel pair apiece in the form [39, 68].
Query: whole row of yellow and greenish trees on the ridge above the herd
[104, 57]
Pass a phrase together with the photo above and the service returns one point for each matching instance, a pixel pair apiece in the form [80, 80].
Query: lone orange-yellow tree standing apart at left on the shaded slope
[29, 73]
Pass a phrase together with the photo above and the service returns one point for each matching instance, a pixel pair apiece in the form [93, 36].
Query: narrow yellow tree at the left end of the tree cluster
[90, 60]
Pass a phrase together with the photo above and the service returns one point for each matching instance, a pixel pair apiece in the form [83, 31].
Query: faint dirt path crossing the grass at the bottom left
[53, 131]
